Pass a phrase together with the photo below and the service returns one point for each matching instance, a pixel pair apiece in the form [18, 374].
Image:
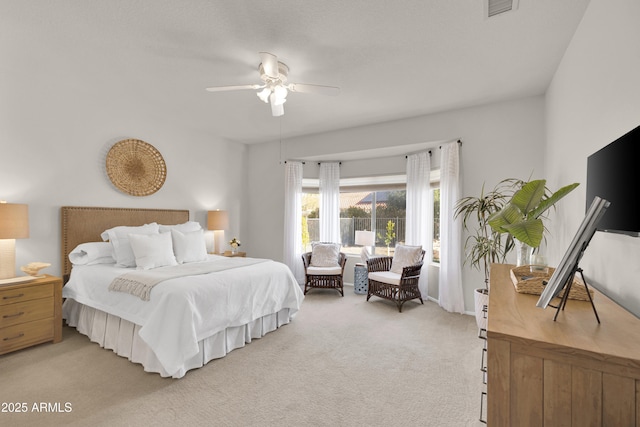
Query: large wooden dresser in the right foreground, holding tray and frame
[571, 372]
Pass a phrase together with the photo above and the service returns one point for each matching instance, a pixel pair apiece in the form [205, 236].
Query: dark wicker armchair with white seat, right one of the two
[398, 288]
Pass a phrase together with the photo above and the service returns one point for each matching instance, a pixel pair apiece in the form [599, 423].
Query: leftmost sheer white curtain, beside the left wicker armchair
[293, 220]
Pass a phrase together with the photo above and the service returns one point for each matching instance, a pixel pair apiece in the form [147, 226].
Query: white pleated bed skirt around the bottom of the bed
[121, 336]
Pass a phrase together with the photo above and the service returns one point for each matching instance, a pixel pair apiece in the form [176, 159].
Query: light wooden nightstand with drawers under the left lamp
[30, 313]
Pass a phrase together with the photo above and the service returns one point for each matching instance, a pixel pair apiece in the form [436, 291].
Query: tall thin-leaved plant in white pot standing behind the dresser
[484, 245]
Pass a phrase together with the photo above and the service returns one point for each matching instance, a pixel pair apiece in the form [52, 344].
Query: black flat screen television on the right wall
[613, 174]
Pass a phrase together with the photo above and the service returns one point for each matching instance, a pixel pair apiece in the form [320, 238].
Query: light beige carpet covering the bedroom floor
[341, 362]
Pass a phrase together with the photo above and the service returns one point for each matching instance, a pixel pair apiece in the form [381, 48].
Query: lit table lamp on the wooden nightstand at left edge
[14, 224]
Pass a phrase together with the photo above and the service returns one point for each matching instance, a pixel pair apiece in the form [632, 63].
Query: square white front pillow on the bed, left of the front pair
[152, 250]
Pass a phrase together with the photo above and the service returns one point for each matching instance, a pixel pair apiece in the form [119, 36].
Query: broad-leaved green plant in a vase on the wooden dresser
[522, 217]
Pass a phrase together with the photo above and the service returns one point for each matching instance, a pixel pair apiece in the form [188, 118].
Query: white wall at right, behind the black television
[593, 99]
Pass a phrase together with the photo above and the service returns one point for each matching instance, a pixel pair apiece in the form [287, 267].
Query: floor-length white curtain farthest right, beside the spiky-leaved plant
[450, 282]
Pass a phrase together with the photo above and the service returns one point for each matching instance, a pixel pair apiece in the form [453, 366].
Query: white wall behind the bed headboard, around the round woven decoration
[53, 147]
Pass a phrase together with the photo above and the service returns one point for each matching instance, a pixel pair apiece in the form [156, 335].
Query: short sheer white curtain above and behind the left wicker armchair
[330, 202]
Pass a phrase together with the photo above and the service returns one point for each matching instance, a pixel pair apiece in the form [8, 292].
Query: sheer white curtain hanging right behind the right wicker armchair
[419, 210]
